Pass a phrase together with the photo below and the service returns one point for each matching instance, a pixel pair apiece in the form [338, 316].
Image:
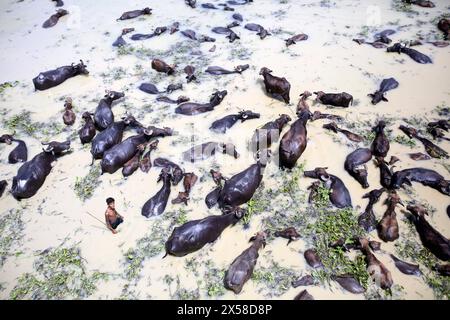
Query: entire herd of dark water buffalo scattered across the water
[105, 135]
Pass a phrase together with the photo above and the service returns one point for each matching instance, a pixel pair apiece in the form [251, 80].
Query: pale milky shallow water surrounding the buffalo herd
[327, 61]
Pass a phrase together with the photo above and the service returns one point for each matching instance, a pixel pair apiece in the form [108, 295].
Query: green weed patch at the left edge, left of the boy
[11, 231]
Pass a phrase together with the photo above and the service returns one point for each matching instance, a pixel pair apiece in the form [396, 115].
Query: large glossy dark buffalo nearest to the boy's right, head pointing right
[195, 234]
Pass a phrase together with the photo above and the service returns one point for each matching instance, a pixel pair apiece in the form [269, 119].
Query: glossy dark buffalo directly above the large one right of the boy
[239, 189]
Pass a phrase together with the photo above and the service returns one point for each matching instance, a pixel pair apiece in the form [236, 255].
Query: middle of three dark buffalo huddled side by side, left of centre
[111, 136]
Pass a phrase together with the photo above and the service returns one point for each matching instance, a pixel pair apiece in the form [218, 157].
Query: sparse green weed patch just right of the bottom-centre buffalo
[275, 279]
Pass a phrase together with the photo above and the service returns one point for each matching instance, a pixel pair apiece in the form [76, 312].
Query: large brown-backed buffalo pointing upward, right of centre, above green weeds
[294, 141]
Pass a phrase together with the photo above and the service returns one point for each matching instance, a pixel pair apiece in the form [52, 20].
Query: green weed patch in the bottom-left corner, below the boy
[60, 274]
